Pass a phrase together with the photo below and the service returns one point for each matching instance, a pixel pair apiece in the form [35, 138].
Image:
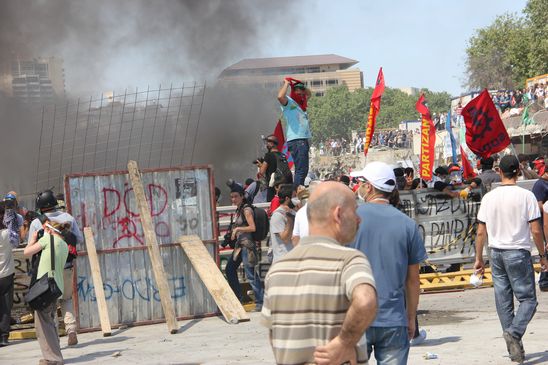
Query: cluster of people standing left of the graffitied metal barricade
[49, 236]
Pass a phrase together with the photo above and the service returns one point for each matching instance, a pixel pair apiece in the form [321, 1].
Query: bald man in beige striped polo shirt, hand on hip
[320, 297]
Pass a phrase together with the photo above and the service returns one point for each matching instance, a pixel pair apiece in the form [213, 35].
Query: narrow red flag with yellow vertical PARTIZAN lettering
[428, 140]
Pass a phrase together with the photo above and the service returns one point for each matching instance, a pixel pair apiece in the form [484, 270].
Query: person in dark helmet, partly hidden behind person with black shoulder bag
[47, 203]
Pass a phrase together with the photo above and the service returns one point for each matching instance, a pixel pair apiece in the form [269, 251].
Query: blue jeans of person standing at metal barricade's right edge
[231, 271]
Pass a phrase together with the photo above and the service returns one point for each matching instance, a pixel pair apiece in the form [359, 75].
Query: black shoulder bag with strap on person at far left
[44, 291]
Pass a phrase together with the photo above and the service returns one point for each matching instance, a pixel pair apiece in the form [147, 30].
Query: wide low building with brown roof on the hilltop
[317, 72]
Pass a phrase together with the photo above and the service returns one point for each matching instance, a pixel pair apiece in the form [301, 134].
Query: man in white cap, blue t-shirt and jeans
[394, 246]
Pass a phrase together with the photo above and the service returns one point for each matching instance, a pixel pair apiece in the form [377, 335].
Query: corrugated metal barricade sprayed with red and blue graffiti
[180, 201]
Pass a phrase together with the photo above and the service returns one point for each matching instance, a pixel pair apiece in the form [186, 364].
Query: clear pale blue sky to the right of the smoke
[418, 43]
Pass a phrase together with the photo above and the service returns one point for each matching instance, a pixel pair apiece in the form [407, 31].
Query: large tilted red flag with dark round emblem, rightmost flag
[485, 132]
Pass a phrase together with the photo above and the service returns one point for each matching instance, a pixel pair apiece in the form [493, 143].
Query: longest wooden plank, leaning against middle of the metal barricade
[153, 249]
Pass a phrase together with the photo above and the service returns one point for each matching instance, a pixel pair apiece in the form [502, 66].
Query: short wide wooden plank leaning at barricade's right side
[213, 279]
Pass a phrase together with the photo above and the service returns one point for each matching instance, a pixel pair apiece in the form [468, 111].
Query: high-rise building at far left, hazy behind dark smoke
[38, 80]
